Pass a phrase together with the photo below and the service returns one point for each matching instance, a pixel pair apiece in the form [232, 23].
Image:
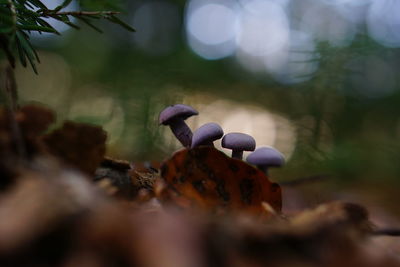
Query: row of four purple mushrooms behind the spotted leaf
[175, 116]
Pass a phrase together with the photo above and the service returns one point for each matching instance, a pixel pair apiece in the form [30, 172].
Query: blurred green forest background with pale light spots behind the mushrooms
[317, 79]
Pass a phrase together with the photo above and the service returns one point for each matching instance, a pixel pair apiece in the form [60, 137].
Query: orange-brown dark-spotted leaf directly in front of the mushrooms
[207, 178]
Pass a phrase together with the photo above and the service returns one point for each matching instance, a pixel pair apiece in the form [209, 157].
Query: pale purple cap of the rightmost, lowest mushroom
[266, 156]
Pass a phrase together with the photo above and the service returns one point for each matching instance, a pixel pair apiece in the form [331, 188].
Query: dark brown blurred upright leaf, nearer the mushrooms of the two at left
[78, 144]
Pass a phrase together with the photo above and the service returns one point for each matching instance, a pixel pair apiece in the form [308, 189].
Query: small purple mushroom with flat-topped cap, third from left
[238, 142]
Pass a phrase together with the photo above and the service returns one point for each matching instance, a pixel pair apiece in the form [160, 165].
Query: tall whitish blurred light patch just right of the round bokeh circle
[263, 39]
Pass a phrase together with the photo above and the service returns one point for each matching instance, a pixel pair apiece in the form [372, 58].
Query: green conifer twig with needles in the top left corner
[19, 18]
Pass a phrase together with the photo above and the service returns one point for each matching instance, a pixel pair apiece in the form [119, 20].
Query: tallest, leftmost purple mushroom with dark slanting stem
[175, 117]
